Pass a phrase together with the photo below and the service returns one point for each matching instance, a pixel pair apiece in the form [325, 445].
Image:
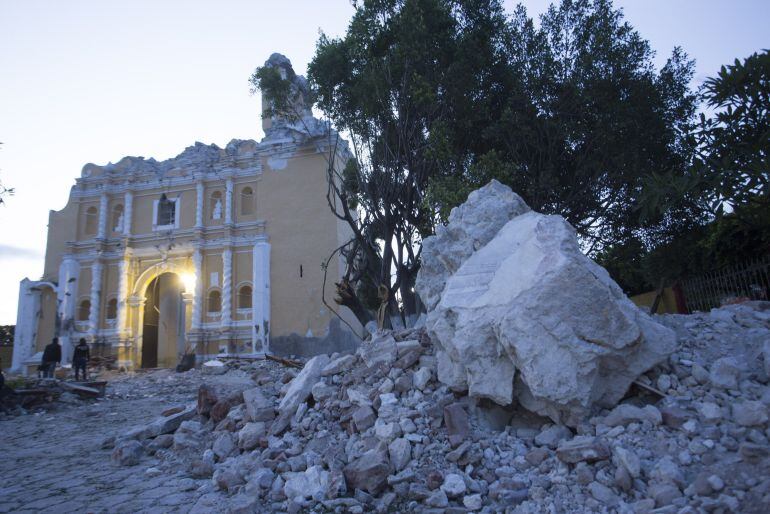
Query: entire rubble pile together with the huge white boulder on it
[535, 386]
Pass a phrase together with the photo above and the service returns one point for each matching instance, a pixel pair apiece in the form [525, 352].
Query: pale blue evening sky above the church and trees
[91, 81]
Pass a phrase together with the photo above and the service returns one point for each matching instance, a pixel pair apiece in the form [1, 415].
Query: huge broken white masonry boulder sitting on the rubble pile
[528, 317]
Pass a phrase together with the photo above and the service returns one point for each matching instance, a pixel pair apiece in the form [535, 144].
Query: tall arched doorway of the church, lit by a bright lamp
[163, 330]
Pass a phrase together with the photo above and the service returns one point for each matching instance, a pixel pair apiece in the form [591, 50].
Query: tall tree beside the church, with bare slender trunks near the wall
[404, 75]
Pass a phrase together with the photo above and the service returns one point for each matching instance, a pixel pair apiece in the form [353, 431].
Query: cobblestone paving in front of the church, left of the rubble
[51, 461]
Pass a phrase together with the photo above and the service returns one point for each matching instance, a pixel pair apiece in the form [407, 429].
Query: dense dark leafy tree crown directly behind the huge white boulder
[589, 121]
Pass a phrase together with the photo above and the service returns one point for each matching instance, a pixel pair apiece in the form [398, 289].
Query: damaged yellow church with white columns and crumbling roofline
[215, 250]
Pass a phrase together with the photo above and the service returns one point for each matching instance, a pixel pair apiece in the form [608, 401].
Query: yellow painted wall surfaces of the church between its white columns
[289, 202]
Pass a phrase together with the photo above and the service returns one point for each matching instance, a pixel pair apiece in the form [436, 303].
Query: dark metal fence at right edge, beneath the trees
[748, 280]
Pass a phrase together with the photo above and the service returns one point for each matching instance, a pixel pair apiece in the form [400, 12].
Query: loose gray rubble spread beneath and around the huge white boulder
[377, 431]
